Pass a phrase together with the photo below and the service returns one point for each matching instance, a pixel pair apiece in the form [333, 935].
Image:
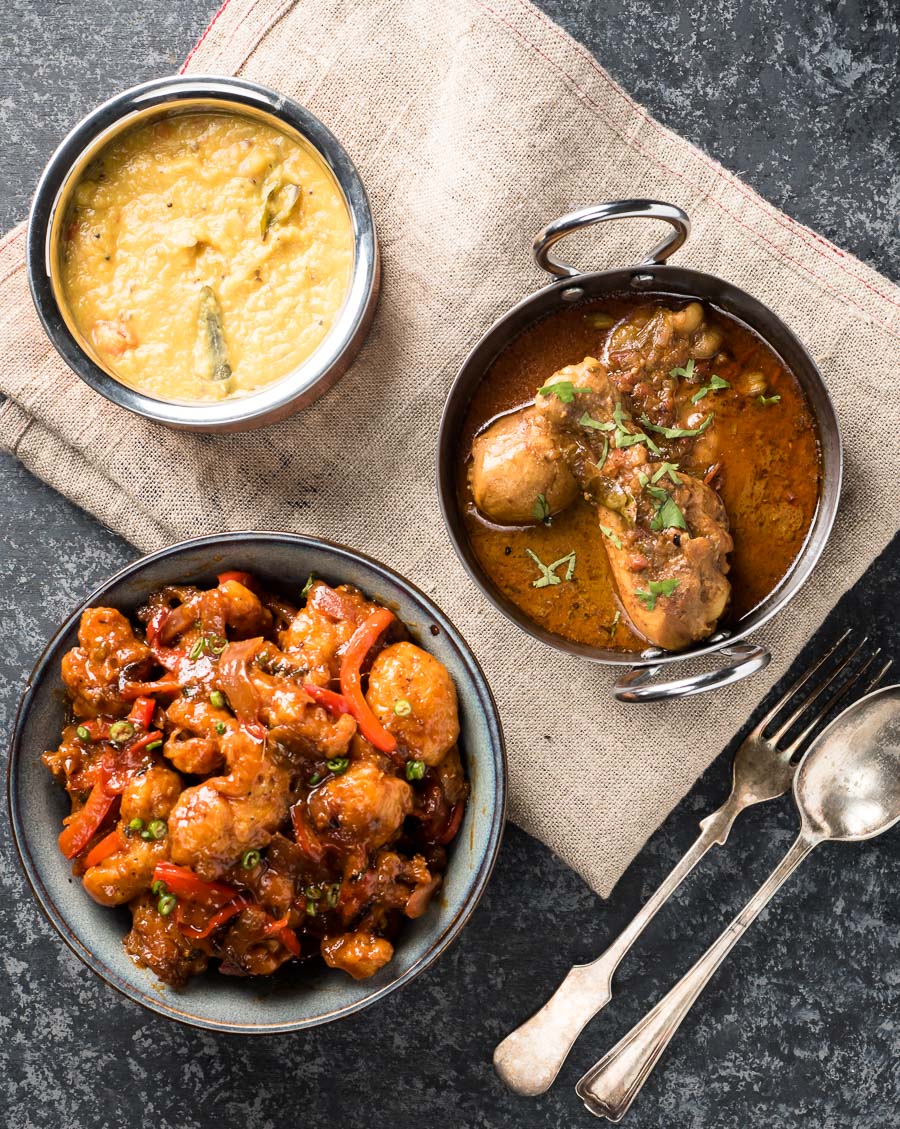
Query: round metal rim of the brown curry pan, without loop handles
[634, 279]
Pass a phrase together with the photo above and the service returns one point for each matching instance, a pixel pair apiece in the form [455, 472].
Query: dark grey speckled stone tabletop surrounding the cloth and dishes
[800, 1028]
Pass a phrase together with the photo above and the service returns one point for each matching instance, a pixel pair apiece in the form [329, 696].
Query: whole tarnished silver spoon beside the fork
[847, 789]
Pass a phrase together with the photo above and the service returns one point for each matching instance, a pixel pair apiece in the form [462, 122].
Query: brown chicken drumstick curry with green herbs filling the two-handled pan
[639, 474]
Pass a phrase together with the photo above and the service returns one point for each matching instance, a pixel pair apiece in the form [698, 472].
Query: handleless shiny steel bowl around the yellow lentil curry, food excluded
[162, 99]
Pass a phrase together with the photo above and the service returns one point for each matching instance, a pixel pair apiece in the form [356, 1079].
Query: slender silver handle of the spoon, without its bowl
[609, 1088]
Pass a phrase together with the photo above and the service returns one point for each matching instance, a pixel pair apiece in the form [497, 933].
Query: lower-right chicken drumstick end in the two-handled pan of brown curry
[672, 582]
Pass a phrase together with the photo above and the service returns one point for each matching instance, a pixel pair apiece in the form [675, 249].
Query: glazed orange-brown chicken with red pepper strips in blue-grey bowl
[258, 782]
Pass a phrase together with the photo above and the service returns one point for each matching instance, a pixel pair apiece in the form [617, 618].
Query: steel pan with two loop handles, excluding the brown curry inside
[652, 277]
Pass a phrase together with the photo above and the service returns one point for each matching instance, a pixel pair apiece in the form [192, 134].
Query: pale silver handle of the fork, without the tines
[530, 1058]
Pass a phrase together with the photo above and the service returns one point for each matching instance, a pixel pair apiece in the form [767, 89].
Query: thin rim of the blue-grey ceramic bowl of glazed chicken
[50, 657]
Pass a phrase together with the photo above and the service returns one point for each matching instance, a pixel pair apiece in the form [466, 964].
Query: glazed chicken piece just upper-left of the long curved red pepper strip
[325, 626]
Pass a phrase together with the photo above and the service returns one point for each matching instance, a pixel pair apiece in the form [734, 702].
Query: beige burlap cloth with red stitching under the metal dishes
[474, 125]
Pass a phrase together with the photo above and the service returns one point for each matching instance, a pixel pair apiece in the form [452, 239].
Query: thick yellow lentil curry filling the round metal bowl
[206, 256]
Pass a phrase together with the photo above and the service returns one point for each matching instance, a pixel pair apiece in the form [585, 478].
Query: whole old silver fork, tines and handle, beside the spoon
[530, 1058]
